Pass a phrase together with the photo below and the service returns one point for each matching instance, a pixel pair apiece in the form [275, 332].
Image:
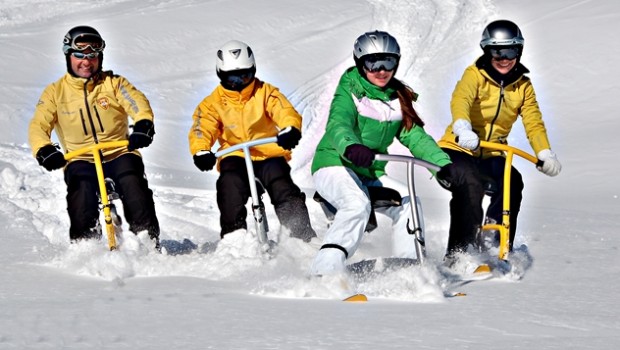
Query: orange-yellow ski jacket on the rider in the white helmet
[258, 111]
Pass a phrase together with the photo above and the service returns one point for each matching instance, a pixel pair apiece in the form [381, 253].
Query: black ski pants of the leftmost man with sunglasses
[127, 172]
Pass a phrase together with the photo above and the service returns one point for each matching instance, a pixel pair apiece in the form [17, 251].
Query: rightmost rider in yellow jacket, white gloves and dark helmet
[485, 104]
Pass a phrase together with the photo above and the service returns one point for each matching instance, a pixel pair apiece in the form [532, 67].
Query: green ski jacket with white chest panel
[363, 113]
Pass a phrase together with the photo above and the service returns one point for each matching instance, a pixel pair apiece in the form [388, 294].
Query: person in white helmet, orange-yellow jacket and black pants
[240, 109]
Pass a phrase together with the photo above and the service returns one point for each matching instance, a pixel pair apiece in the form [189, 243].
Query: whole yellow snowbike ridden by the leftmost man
[107, 194]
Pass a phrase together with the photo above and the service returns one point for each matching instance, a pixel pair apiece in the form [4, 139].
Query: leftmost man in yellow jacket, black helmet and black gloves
[88, 106]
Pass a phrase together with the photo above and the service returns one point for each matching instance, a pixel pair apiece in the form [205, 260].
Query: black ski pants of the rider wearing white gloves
[473, 177]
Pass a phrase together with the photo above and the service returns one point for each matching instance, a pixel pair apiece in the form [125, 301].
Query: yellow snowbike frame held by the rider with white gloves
[504, 228]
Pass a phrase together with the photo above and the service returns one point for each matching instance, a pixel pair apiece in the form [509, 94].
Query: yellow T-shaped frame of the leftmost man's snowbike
[103, 192]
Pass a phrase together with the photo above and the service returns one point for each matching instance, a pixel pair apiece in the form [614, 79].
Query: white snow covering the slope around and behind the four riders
[203, 293]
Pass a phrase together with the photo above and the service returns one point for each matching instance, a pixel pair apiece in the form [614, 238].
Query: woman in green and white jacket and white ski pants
[370, 109]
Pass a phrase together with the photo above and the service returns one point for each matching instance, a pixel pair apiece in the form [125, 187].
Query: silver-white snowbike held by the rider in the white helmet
[256, 188]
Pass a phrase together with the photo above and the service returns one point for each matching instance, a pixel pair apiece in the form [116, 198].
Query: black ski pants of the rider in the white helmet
[274, 174]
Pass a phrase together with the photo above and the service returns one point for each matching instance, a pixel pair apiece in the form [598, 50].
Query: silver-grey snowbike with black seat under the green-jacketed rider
[385, 197]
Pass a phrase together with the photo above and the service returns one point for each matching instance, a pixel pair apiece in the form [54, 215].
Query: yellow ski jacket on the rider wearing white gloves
[492, 110]
